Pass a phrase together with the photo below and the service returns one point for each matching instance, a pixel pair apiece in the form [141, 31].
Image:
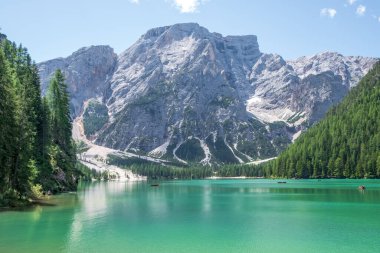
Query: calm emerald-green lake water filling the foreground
[202, 216]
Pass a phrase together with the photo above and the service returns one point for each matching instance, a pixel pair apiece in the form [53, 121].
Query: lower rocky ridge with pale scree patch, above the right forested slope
[301, 91]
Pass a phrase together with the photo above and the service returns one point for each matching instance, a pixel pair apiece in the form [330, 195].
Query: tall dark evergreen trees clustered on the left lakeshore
[36, 149]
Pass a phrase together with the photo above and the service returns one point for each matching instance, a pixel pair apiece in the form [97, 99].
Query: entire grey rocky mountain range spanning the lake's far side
[183, 93]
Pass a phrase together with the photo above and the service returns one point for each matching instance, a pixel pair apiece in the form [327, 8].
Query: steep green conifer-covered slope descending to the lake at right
[346, 143]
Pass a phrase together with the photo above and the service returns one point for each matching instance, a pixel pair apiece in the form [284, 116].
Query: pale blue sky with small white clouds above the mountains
[291, 28]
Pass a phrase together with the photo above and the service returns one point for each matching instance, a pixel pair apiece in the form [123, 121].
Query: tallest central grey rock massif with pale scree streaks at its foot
[183, 88]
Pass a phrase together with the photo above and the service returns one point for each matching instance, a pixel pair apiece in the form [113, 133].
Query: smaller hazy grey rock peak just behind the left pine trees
[87, 72]
